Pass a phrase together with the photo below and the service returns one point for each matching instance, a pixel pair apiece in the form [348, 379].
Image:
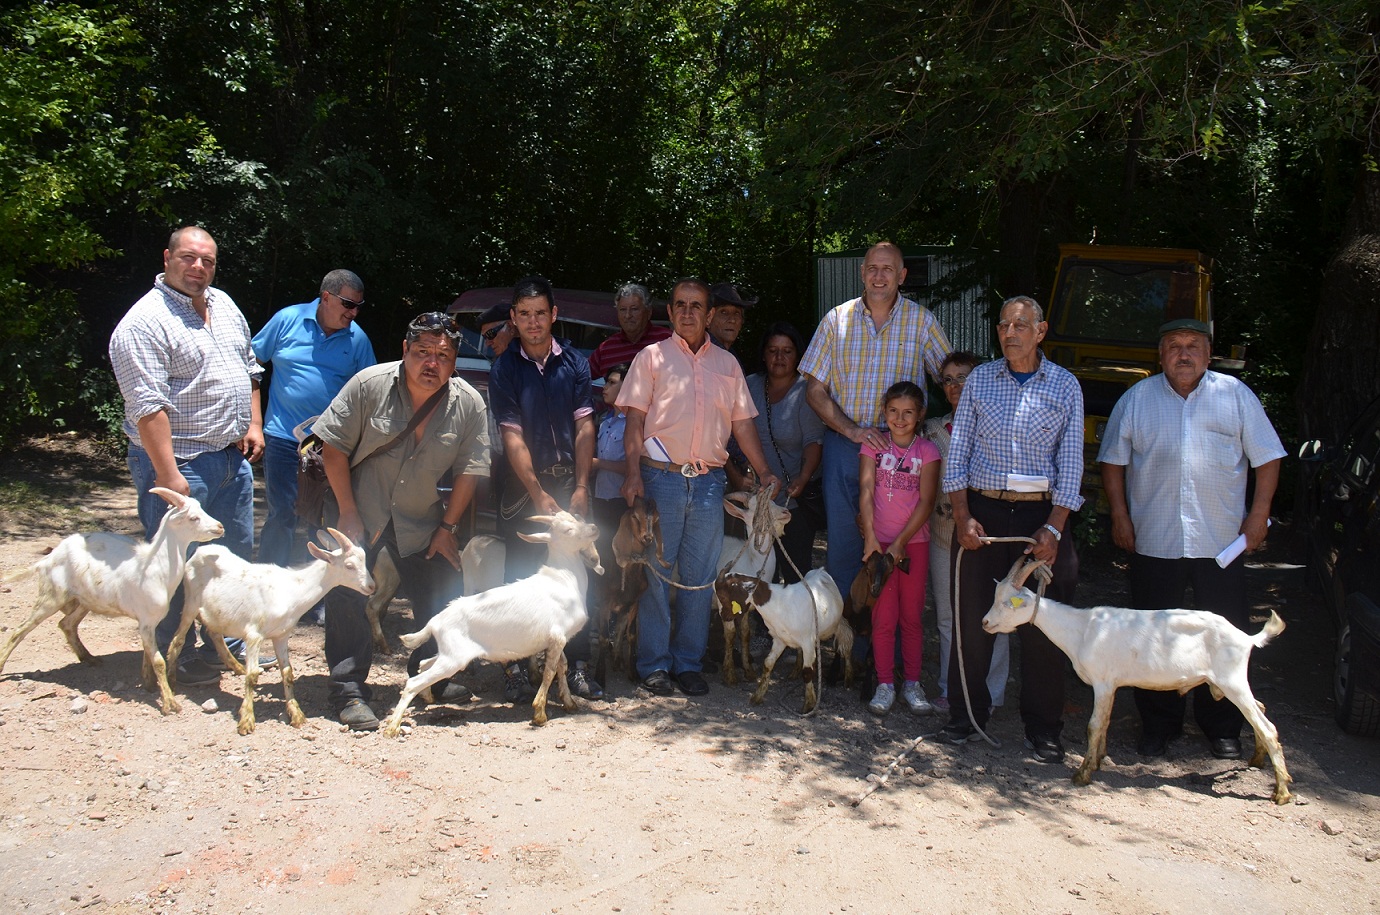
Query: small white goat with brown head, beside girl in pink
[800, 616]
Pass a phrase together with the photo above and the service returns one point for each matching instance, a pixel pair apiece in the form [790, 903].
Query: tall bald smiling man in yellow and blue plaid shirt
[860, 350]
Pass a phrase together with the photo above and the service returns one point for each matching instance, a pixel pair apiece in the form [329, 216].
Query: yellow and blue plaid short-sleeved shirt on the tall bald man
[858, 362]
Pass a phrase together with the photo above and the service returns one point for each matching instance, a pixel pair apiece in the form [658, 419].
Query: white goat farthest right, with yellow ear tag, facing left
[1152, 649]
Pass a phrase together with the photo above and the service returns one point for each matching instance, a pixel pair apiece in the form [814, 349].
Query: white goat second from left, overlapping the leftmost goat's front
[262, 602]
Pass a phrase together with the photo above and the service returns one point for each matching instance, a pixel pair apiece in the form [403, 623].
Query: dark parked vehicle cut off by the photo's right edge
[1342, 522]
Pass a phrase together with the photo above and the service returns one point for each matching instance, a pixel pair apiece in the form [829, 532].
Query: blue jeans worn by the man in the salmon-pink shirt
[692, 527]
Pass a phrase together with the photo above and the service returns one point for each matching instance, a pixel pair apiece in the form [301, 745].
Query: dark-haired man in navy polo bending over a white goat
[539, 393]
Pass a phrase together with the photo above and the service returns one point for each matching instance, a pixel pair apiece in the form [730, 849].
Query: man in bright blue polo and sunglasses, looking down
[314, 348]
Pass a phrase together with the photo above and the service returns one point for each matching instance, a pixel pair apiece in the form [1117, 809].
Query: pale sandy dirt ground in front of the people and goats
[638, 804]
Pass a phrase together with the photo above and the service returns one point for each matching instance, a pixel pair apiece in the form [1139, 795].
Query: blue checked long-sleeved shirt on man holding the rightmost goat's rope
[1003, 427]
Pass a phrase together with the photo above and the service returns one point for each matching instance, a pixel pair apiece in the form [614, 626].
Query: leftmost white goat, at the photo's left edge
[117, 576]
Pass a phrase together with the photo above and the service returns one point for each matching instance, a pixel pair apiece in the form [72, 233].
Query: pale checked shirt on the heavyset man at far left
[166, 358]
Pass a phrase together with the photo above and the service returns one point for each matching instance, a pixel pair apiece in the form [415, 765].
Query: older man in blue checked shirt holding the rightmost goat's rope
[1014, 470]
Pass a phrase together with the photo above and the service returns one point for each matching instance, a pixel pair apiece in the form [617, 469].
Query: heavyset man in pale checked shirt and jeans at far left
[191, 408]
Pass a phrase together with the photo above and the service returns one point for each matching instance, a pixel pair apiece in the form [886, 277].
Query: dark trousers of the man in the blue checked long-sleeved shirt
[1043, 663]
